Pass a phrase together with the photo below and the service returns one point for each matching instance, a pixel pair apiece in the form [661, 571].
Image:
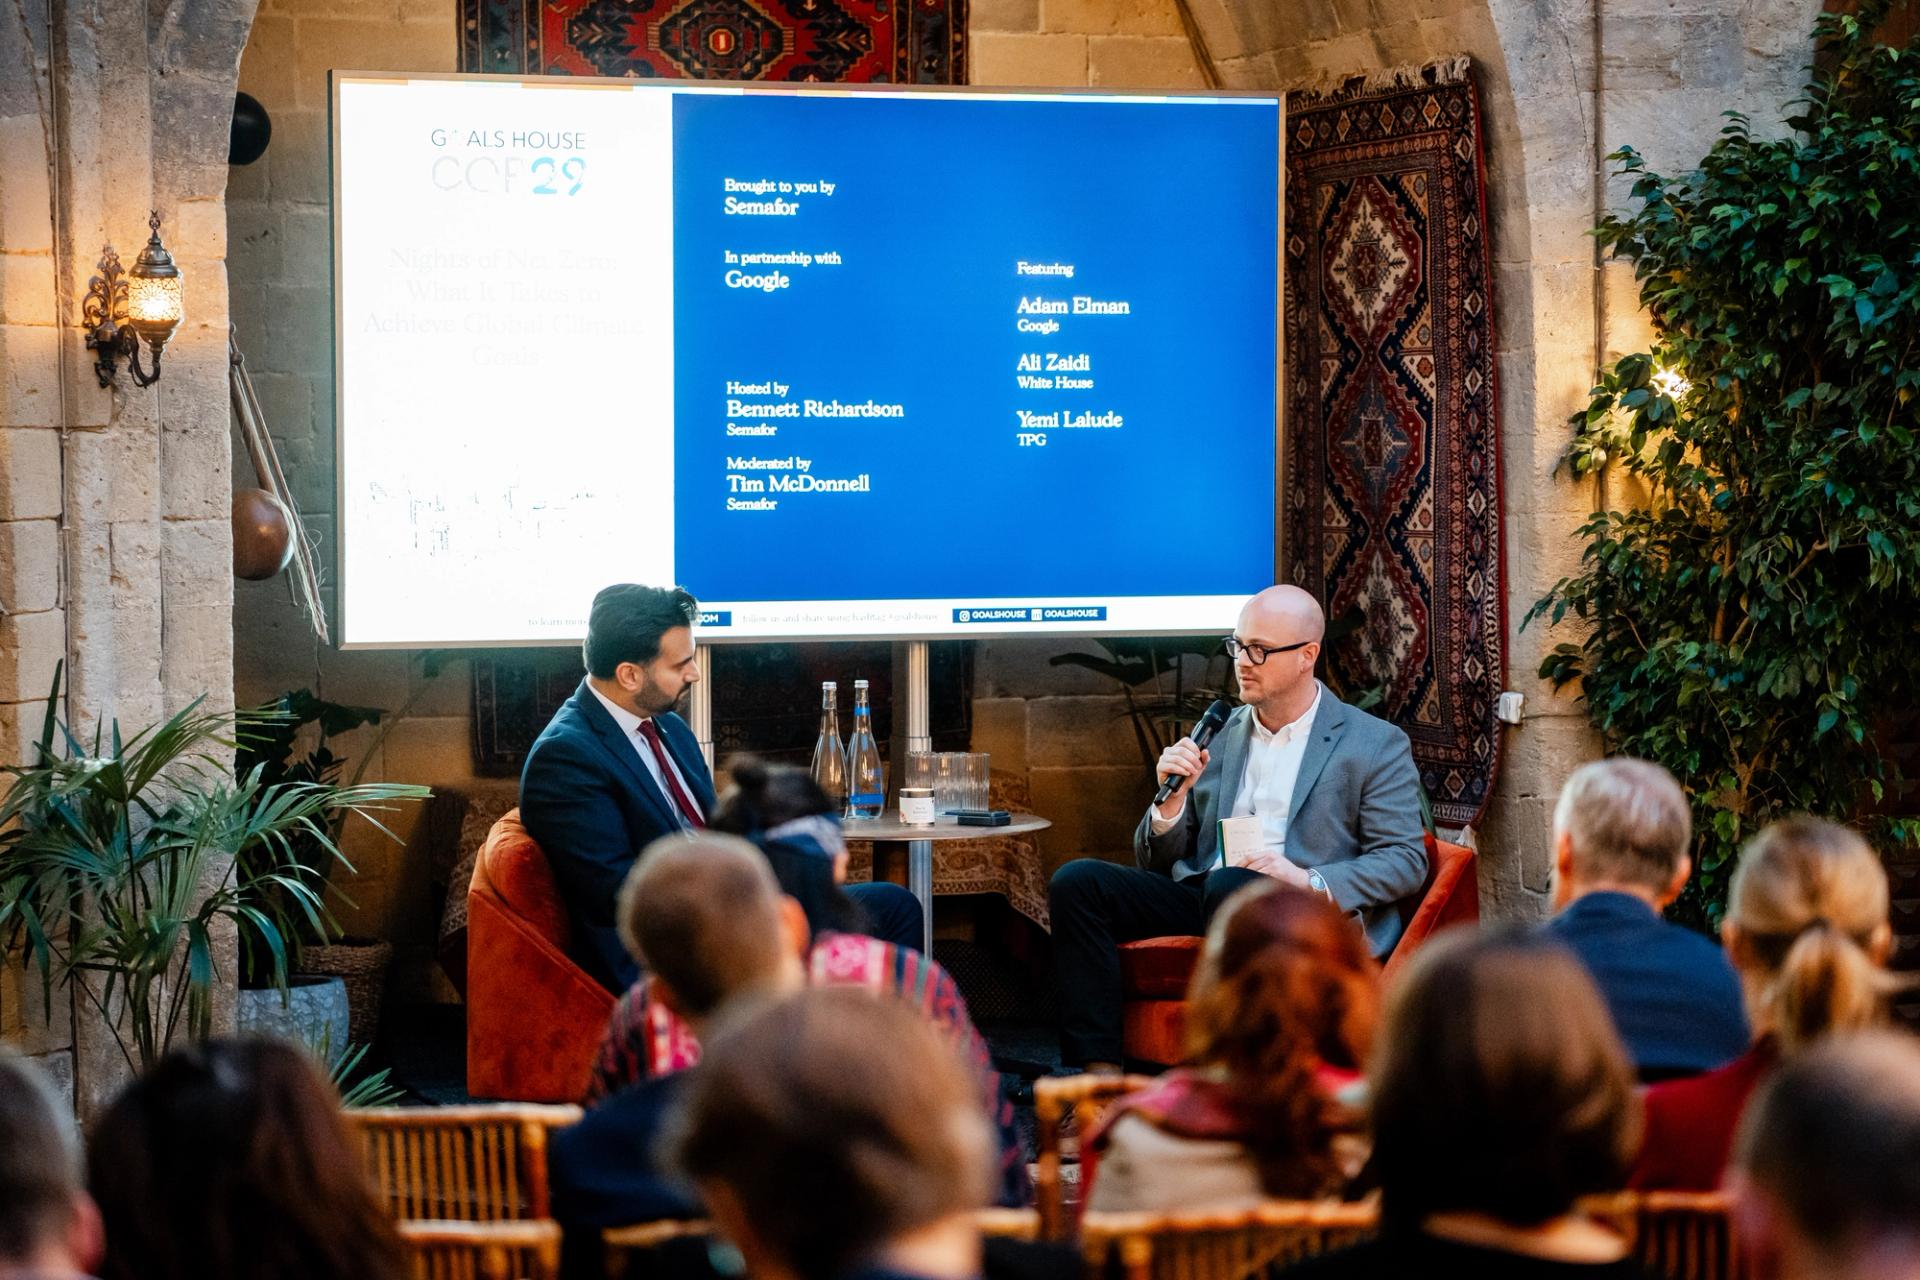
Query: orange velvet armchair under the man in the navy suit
[535, 1018]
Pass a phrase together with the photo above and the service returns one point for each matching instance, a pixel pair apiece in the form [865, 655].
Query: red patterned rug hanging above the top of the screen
[853, 41]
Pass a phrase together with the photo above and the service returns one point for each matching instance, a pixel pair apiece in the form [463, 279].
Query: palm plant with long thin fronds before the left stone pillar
[122, 859]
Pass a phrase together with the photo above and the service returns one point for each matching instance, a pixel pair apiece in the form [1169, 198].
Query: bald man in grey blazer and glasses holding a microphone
[1335, 797]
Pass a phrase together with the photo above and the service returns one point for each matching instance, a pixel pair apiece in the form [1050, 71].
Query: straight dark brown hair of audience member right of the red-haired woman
[1500, 1085]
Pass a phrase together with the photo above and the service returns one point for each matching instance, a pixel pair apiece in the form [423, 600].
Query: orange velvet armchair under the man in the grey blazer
[1155, 972]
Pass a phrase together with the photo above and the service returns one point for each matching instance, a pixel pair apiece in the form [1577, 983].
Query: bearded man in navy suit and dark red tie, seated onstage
[617, 769]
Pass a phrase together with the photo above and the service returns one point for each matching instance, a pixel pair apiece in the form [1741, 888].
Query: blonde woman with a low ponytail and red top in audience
[1808, 932]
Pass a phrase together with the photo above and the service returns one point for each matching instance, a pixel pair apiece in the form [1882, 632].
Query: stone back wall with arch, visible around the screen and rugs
[1666, 72]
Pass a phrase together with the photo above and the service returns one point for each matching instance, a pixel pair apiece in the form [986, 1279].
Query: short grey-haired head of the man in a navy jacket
[1621, 824]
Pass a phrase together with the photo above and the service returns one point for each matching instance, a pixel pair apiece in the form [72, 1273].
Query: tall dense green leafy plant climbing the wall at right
[1750, 627]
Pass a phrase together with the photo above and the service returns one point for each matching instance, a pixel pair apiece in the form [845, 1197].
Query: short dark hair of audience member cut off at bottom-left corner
[39, 1160]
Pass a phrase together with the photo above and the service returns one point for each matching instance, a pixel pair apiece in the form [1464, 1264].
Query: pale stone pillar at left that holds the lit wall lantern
[114, 502]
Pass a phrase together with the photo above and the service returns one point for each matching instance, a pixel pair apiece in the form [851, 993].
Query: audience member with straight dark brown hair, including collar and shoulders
[1500, 1099]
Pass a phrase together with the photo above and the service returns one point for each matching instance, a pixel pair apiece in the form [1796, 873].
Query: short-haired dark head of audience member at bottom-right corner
[1835, 1141]
